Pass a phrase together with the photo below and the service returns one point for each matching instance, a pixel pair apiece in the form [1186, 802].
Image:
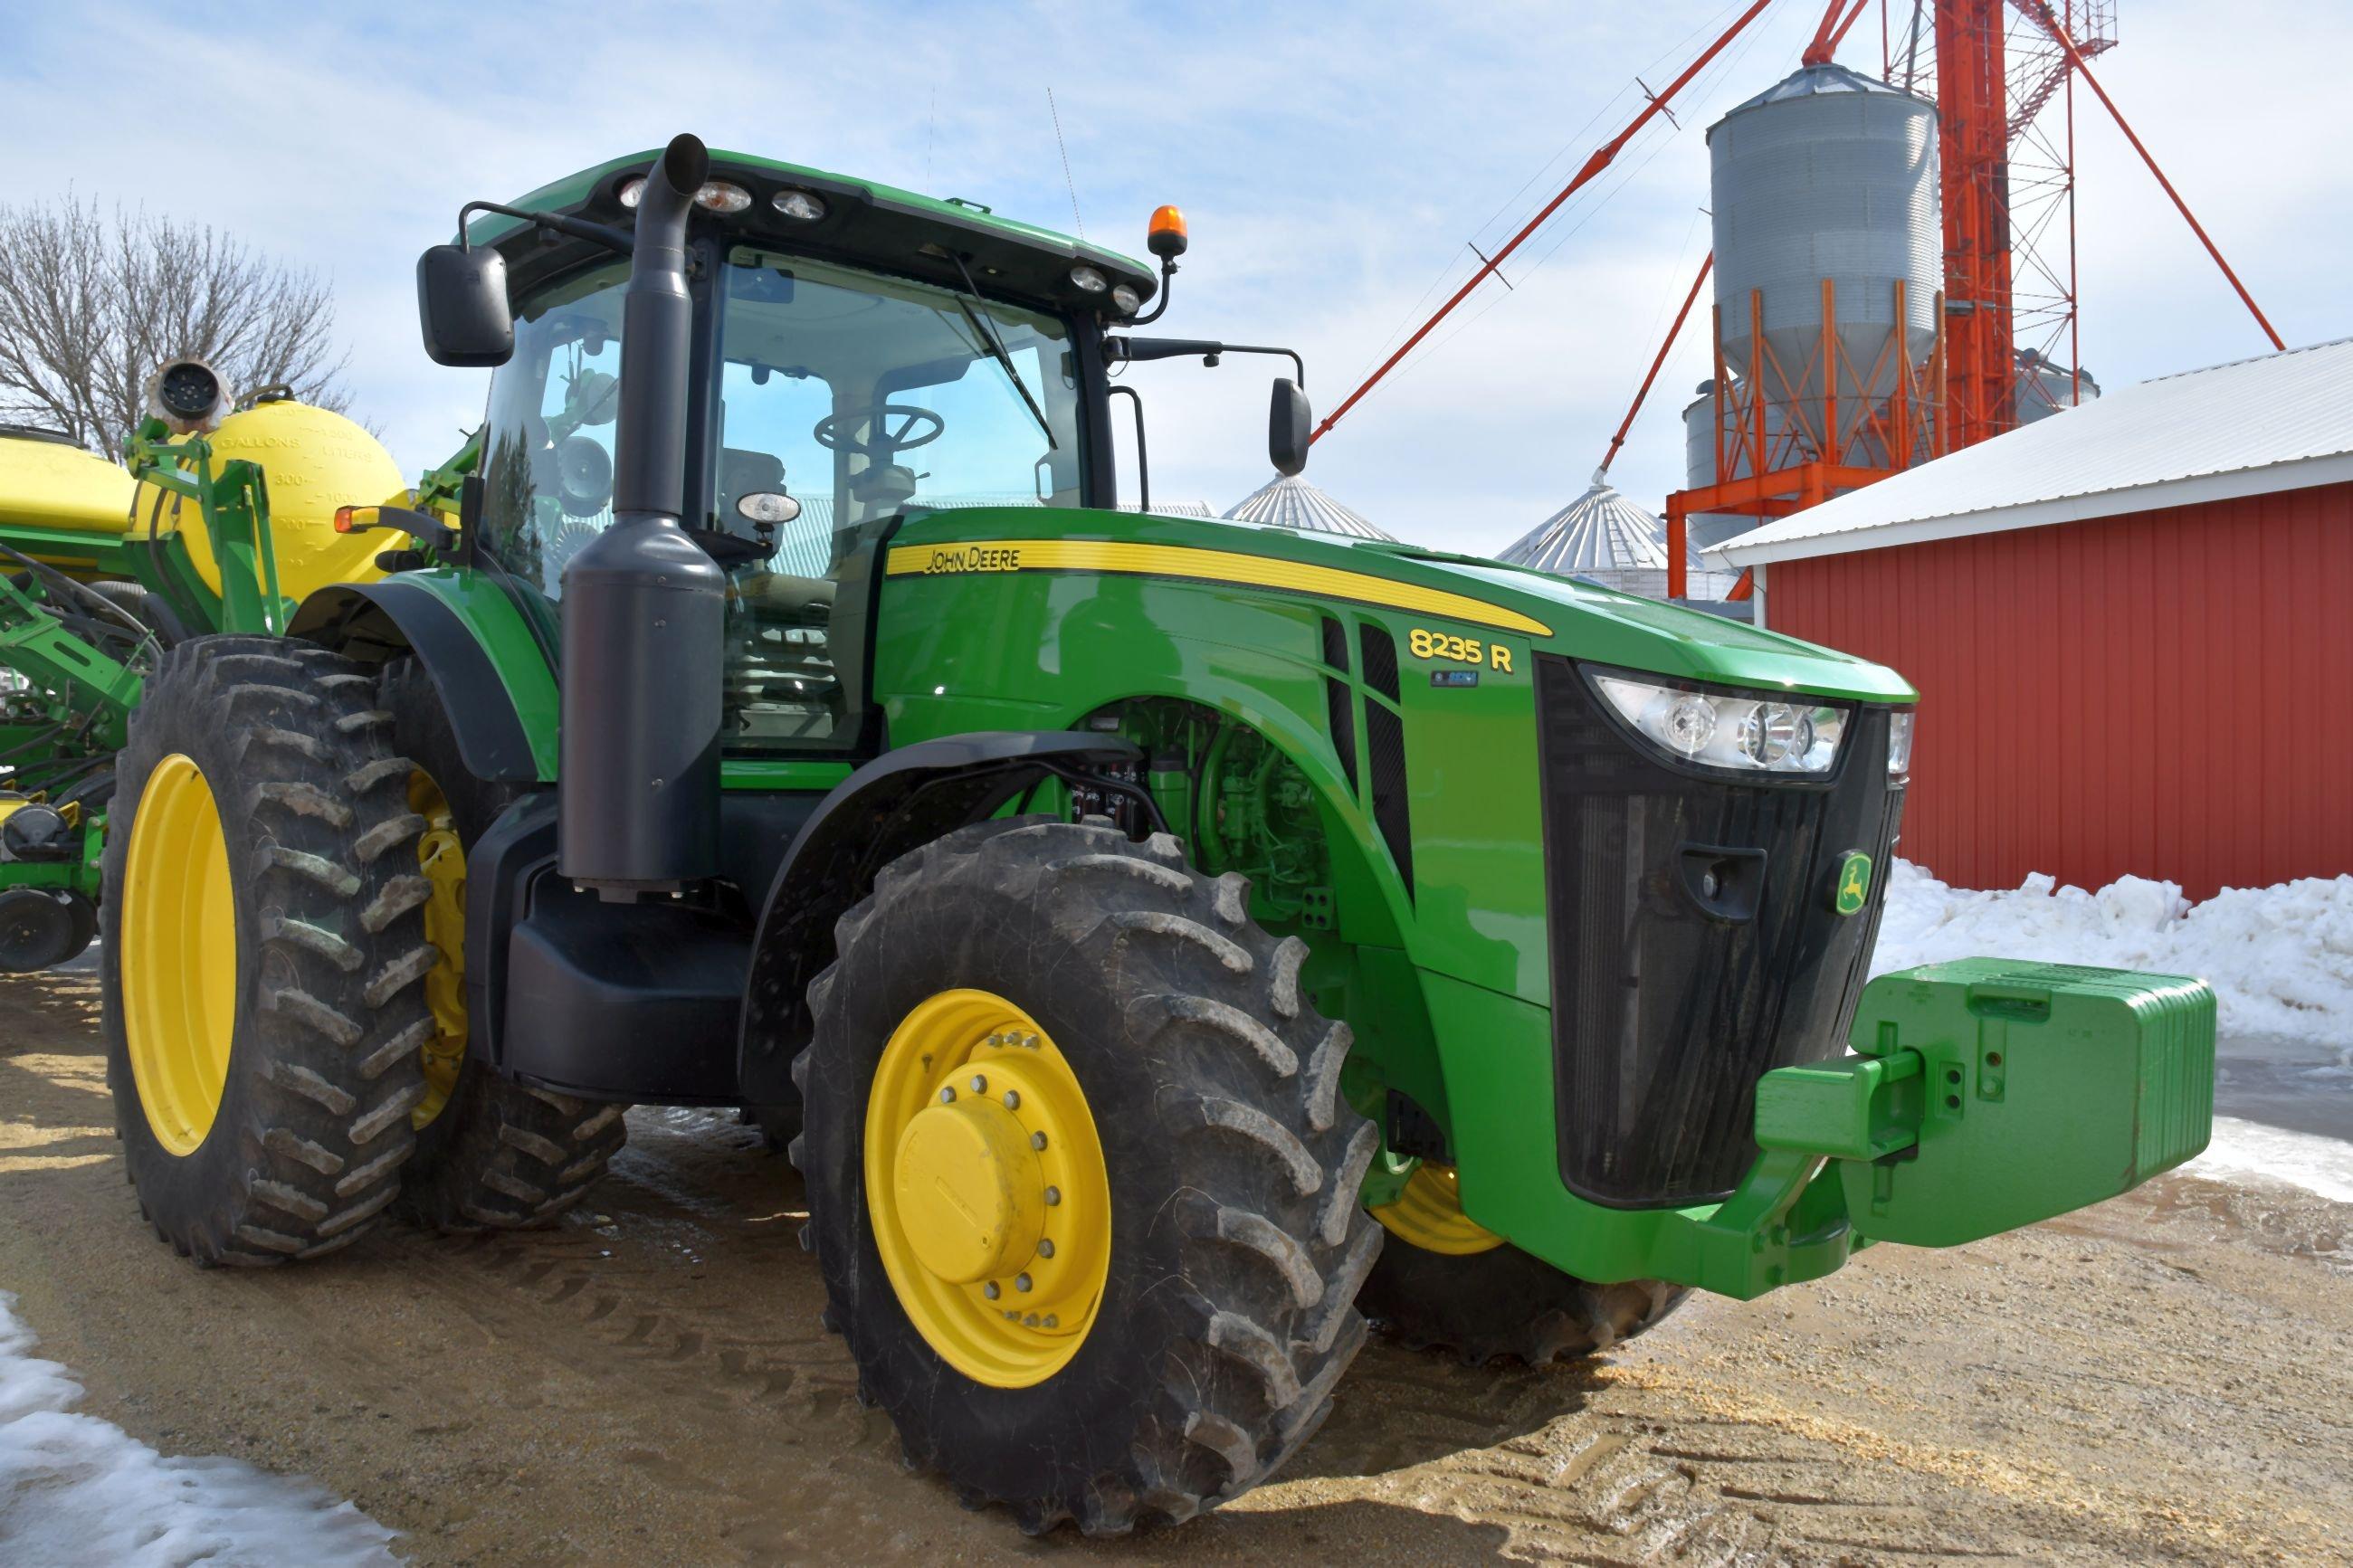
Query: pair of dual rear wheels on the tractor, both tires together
[284, 963]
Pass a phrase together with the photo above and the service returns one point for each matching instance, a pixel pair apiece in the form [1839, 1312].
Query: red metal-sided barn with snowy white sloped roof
[2128, 626]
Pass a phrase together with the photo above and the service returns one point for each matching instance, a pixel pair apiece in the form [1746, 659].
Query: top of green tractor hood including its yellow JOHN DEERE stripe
[1460, 594]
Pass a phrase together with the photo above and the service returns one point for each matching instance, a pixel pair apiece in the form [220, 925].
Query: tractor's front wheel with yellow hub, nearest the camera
[1044, 986]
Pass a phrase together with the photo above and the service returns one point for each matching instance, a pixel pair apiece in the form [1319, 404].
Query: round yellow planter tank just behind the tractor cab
[316, 462]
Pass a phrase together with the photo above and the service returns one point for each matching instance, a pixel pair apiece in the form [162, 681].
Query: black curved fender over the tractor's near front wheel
[874, 817]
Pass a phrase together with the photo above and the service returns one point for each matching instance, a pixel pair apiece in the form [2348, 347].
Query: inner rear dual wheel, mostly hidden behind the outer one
[491, 1155]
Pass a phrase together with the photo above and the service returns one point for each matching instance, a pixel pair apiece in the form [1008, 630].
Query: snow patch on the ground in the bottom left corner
[76, 1489]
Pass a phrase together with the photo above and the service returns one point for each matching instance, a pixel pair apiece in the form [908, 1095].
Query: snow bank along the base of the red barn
[2281, 958]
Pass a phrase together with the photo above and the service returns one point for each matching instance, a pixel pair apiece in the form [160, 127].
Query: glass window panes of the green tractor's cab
[836, 401]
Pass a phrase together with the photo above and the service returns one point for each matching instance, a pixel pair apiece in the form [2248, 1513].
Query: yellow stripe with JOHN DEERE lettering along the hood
[1206, 568]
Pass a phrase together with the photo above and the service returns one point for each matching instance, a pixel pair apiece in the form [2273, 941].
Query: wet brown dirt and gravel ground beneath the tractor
[2161, 1381]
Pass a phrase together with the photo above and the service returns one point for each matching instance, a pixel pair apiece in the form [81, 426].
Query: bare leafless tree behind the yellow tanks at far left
[93, 302]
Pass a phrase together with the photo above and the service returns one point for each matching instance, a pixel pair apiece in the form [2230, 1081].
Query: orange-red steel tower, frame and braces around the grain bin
[1992, 88]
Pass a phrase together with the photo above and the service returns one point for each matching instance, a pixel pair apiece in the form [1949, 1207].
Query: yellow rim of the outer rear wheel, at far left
[180, 956]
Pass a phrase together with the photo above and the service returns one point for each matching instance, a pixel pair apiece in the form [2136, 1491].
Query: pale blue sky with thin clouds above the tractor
[1333, 161]
